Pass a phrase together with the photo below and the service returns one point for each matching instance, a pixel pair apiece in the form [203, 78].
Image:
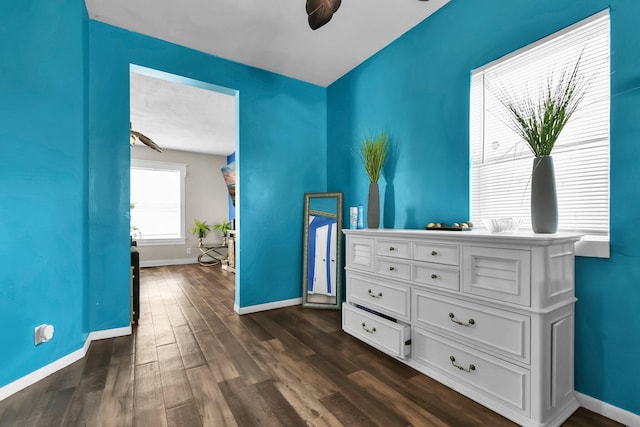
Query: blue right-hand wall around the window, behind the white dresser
[417, 89]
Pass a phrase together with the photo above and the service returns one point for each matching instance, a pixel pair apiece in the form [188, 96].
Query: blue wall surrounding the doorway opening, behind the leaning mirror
[281, 121]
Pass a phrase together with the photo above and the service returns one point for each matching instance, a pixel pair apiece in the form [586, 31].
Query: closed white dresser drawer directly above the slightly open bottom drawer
[388, 298]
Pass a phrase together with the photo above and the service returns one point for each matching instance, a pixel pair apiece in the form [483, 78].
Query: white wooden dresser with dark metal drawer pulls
[489, 315]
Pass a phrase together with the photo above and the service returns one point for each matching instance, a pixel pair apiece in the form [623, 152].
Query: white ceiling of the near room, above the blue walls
[271, 34]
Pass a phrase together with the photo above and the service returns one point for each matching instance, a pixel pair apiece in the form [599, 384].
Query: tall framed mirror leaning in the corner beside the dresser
[322, 261]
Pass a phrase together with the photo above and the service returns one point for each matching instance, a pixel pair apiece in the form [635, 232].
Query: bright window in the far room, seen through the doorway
[157, 200]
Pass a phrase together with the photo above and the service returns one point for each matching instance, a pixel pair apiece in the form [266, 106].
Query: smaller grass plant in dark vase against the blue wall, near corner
[373, 154]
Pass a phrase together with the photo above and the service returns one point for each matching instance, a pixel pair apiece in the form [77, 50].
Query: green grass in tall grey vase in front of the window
[539, 123]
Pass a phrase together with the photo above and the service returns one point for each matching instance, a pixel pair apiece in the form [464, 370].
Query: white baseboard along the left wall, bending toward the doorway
[63, 362]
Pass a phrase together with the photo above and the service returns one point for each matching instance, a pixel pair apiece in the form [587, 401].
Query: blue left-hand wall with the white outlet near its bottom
[43, 185]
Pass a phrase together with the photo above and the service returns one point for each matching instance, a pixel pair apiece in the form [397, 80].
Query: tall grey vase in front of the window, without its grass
[544, 200]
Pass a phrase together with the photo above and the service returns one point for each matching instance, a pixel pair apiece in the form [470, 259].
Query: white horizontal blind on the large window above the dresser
[501, 162]
